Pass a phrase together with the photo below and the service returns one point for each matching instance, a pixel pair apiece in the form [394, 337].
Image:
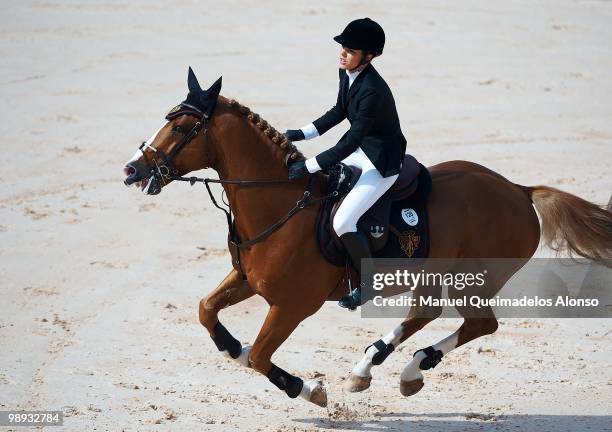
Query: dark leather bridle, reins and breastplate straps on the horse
[166, 171]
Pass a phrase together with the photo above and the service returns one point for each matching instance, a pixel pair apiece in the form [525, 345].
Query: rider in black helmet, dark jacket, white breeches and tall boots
[374, 142]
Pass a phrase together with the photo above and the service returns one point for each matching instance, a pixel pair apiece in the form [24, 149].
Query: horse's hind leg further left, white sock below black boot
[419, 316]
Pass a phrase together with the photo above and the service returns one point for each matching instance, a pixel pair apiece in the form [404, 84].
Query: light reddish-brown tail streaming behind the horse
[572, 224]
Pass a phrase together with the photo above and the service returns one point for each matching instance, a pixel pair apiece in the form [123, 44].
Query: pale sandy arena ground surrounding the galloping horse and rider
[100, 284]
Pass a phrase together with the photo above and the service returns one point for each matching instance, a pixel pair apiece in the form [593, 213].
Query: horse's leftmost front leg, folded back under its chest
[233, 289]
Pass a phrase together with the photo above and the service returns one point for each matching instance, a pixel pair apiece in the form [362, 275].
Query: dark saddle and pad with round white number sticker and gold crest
[396, 225]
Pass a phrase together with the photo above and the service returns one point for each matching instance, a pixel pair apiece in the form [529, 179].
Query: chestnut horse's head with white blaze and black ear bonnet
[177, 147]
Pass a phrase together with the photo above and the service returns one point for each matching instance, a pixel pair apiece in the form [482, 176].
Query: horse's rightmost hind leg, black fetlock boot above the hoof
[478, 322]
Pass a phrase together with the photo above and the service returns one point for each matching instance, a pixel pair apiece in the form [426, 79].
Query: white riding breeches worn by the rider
[370, 186]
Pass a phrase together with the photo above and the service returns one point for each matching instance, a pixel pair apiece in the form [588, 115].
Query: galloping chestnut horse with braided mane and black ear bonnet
[281, 262]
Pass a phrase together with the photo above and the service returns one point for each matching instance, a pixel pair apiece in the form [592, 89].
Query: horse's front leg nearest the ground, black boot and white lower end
[279, 324]
